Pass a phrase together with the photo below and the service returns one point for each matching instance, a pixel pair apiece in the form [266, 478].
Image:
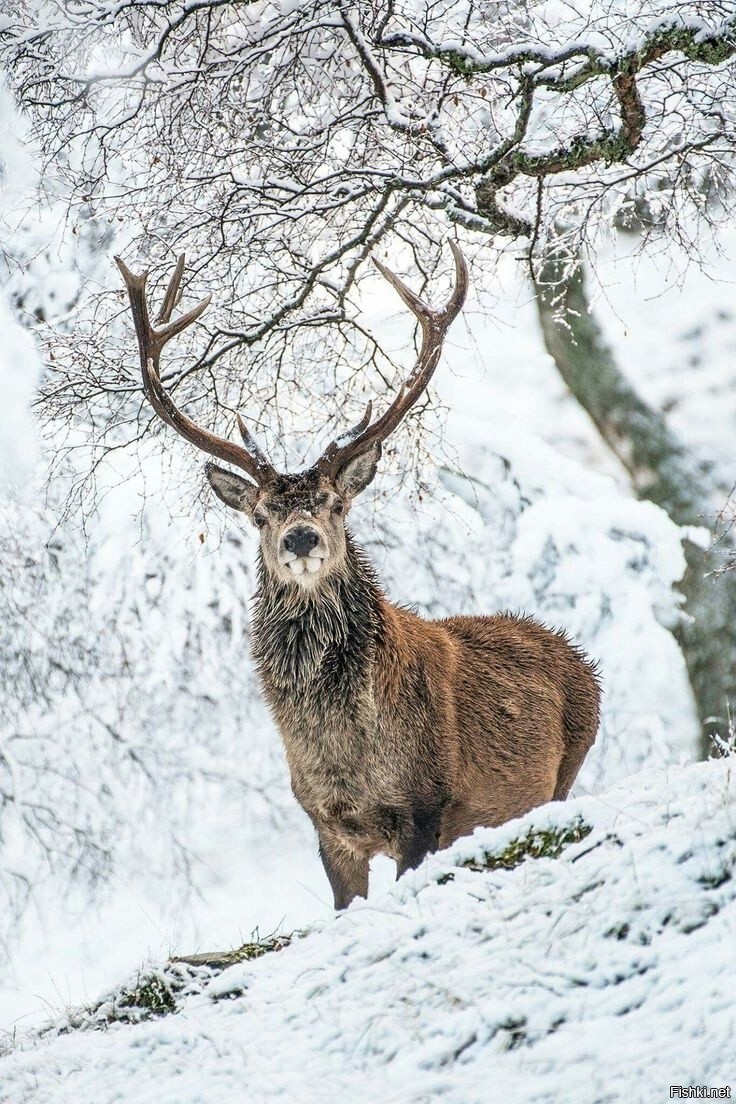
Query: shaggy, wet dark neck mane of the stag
[322, 640]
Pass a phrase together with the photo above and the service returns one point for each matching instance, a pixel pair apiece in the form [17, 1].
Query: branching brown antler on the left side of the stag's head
[152, 342]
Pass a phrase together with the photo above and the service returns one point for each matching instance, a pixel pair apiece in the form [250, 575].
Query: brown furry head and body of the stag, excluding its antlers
[401, 734]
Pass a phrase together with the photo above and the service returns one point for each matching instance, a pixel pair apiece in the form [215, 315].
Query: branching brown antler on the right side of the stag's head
[435, 325]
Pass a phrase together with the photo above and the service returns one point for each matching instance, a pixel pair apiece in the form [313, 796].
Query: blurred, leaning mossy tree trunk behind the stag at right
[662, 471]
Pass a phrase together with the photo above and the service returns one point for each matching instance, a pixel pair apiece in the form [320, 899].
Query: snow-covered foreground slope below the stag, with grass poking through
[603, 975]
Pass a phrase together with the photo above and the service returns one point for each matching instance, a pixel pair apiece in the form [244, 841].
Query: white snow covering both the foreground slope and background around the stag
[145, 808]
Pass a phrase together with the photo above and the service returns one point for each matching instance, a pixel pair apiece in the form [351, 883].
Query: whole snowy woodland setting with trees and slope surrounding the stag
[167, 929]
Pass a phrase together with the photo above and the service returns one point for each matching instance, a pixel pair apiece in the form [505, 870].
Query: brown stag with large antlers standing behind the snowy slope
[401, 735]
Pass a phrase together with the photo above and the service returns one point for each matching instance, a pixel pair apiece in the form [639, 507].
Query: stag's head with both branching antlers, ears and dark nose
[301, 517]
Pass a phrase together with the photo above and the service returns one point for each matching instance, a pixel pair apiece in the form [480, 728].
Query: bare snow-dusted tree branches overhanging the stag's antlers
[279, 145]
